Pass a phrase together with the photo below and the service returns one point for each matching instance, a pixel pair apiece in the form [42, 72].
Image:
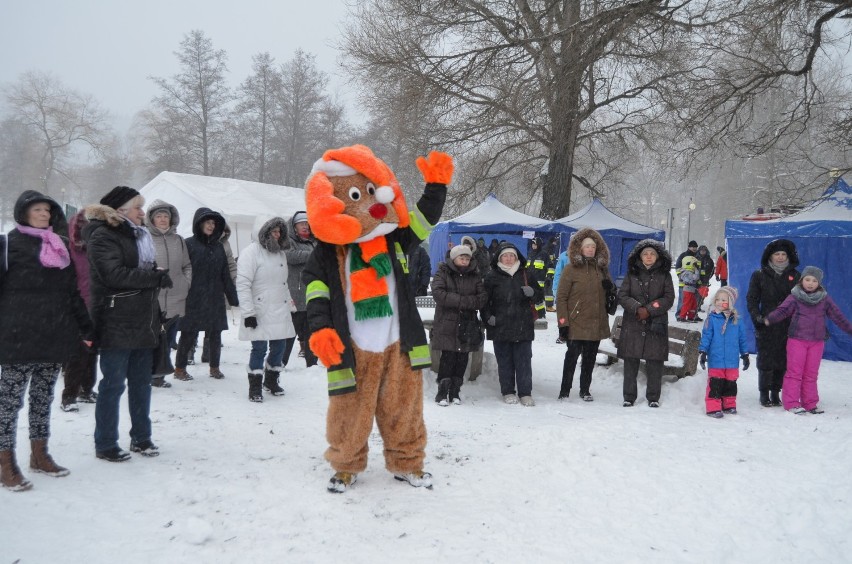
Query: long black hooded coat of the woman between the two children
[766, 290]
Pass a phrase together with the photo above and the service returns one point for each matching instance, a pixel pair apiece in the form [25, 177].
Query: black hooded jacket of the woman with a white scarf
[514, 312]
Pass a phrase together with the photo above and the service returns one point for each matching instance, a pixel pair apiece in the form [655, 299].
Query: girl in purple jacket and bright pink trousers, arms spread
[808, 305]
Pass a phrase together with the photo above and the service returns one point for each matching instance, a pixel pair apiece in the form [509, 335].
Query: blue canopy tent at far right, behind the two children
[822, 233]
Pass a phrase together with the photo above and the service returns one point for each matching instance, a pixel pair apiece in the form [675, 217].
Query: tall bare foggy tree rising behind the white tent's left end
[194, 102]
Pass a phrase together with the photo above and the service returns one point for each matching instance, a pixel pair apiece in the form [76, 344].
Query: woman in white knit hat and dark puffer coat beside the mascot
[459, 292]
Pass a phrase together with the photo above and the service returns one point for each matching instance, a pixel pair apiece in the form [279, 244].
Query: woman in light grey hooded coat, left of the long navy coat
[162, 220]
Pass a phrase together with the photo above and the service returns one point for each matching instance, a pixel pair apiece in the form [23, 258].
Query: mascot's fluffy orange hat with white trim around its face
[325, 210]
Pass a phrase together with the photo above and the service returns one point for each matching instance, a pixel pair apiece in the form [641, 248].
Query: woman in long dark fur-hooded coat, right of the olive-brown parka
[646, 294]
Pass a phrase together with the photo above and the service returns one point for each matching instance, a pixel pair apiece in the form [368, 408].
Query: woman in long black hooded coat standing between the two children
[768, 287]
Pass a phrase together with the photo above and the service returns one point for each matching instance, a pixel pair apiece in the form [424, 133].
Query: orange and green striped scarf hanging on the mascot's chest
[369, 264]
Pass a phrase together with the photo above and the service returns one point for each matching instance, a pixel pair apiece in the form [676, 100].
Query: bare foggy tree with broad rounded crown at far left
[62, 119]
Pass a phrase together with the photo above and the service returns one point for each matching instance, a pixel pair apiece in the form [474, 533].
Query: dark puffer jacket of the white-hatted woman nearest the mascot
[457, 294]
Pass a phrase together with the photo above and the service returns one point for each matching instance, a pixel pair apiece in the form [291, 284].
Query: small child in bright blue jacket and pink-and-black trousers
[722, 346]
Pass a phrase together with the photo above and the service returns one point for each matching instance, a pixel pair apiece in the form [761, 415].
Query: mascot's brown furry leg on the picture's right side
[399, 412]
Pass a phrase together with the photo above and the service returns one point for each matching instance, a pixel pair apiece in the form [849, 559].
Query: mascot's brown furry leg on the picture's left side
[350, 417]
